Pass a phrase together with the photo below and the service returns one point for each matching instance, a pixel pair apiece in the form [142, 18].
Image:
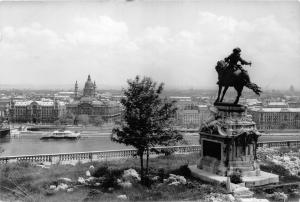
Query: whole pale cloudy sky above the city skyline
[51, 43]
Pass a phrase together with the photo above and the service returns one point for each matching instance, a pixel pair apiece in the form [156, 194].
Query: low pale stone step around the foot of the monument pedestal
[250, 181]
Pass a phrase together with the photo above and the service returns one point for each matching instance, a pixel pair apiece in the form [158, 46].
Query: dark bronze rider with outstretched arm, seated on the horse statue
[233, 60]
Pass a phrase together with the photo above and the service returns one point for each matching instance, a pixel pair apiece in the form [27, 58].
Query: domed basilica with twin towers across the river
[89, 104]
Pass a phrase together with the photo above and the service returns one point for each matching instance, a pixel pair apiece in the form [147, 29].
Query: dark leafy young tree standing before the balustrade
[147, 119]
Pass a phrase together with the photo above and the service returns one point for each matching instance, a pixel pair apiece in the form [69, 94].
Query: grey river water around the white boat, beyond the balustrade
[30, 144]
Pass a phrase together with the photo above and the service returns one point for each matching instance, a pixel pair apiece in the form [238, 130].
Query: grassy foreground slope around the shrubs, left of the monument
[30, 183]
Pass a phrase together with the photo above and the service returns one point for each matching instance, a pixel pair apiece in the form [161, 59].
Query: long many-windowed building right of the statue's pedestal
[276, 118]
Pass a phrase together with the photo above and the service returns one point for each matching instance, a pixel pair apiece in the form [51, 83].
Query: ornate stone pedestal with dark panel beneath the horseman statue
[229, 142]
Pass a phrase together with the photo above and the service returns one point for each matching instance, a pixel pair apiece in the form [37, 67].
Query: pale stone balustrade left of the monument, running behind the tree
[92, 155]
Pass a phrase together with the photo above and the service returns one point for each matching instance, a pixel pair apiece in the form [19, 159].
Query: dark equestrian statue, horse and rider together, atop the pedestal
[232, 74]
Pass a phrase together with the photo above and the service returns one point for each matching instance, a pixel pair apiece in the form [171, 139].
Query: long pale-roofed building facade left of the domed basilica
[36, 111]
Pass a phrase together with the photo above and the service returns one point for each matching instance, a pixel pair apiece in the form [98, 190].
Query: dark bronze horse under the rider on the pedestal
[237, 79]
